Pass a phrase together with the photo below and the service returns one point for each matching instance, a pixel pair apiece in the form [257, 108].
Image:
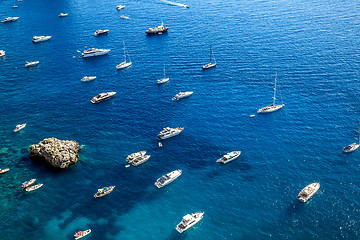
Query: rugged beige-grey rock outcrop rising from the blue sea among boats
[59, 153]
